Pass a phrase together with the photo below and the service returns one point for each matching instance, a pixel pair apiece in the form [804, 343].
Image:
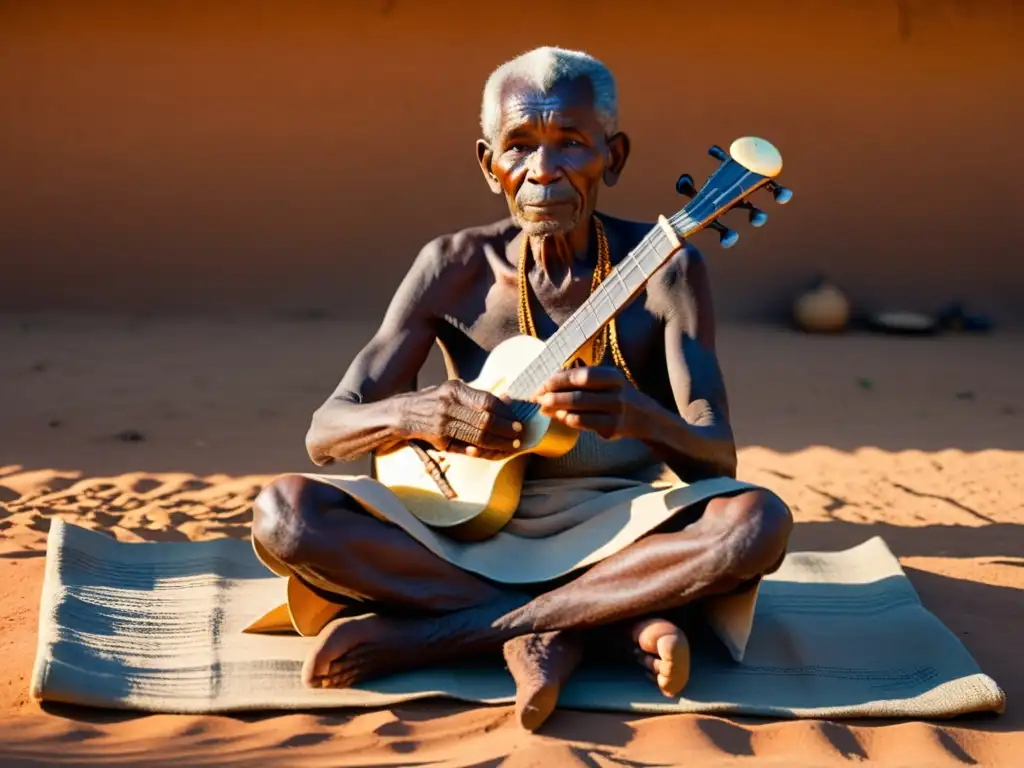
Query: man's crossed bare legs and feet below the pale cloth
[428, 611]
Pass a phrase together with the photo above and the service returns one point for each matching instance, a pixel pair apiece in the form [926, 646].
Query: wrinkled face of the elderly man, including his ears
[550, 156]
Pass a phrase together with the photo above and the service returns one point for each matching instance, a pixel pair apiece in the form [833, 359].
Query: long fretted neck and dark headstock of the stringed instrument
[728, 186]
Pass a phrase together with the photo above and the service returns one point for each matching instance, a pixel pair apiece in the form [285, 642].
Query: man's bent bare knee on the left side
[279, 514]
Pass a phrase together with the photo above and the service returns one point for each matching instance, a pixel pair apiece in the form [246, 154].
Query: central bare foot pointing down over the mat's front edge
[540, 664]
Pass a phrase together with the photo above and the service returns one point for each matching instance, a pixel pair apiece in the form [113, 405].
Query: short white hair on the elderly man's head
[543, 68]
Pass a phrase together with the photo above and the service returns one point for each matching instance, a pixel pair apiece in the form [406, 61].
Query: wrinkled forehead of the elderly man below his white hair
[566, 102]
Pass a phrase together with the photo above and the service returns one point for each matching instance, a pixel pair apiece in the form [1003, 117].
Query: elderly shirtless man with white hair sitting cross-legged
[653, 396]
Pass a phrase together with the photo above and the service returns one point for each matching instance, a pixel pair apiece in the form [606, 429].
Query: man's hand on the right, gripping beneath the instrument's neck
[599, 400]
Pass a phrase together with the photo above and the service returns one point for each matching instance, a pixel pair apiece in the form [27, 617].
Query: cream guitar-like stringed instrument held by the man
[472, 499]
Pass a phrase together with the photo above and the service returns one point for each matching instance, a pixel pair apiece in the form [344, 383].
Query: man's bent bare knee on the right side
[764, 524]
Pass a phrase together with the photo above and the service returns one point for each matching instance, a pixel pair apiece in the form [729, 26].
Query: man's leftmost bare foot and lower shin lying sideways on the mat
[352, 650]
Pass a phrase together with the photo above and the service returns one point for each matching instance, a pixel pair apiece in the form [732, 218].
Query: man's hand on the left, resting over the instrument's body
[456, 418]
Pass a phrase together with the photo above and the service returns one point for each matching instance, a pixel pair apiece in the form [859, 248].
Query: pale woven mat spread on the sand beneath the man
[158, 628]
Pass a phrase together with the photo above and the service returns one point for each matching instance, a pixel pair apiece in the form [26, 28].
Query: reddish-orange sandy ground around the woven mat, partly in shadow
[165, 430]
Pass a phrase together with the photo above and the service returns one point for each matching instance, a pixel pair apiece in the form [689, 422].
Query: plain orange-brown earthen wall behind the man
[174, 157]
